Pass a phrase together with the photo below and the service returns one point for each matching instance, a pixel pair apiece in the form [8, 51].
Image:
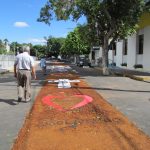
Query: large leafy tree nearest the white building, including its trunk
[110, 19]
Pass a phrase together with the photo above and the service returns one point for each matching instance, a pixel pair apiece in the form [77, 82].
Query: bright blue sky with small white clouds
[18, 22]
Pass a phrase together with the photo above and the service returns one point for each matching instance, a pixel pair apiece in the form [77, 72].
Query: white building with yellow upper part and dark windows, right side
[132, 52]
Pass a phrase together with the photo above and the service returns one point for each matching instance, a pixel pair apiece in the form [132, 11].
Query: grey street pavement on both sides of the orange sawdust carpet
[129, 96]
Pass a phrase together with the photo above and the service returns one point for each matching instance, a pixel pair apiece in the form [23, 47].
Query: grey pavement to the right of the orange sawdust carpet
[131, 97]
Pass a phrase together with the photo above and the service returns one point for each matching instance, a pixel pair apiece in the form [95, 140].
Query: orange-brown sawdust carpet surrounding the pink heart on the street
[96, 126]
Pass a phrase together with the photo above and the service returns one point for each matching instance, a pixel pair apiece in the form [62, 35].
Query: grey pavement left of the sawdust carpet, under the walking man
[12, 114]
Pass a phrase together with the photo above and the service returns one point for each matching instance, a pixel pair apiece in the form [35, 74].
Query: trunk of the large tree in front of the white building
[105, 57]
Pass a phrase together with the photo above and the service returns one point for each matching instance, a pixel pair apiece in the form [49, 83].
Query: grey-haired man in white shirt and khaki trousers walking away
[24, 67]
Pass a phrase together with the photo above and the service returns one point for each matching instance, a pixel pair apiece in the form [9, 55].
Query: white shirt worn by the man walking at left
[24, 61]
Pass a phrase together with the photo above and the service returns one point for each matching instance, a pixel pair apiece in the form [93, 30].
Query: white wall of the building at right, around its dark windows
[132, 57]
